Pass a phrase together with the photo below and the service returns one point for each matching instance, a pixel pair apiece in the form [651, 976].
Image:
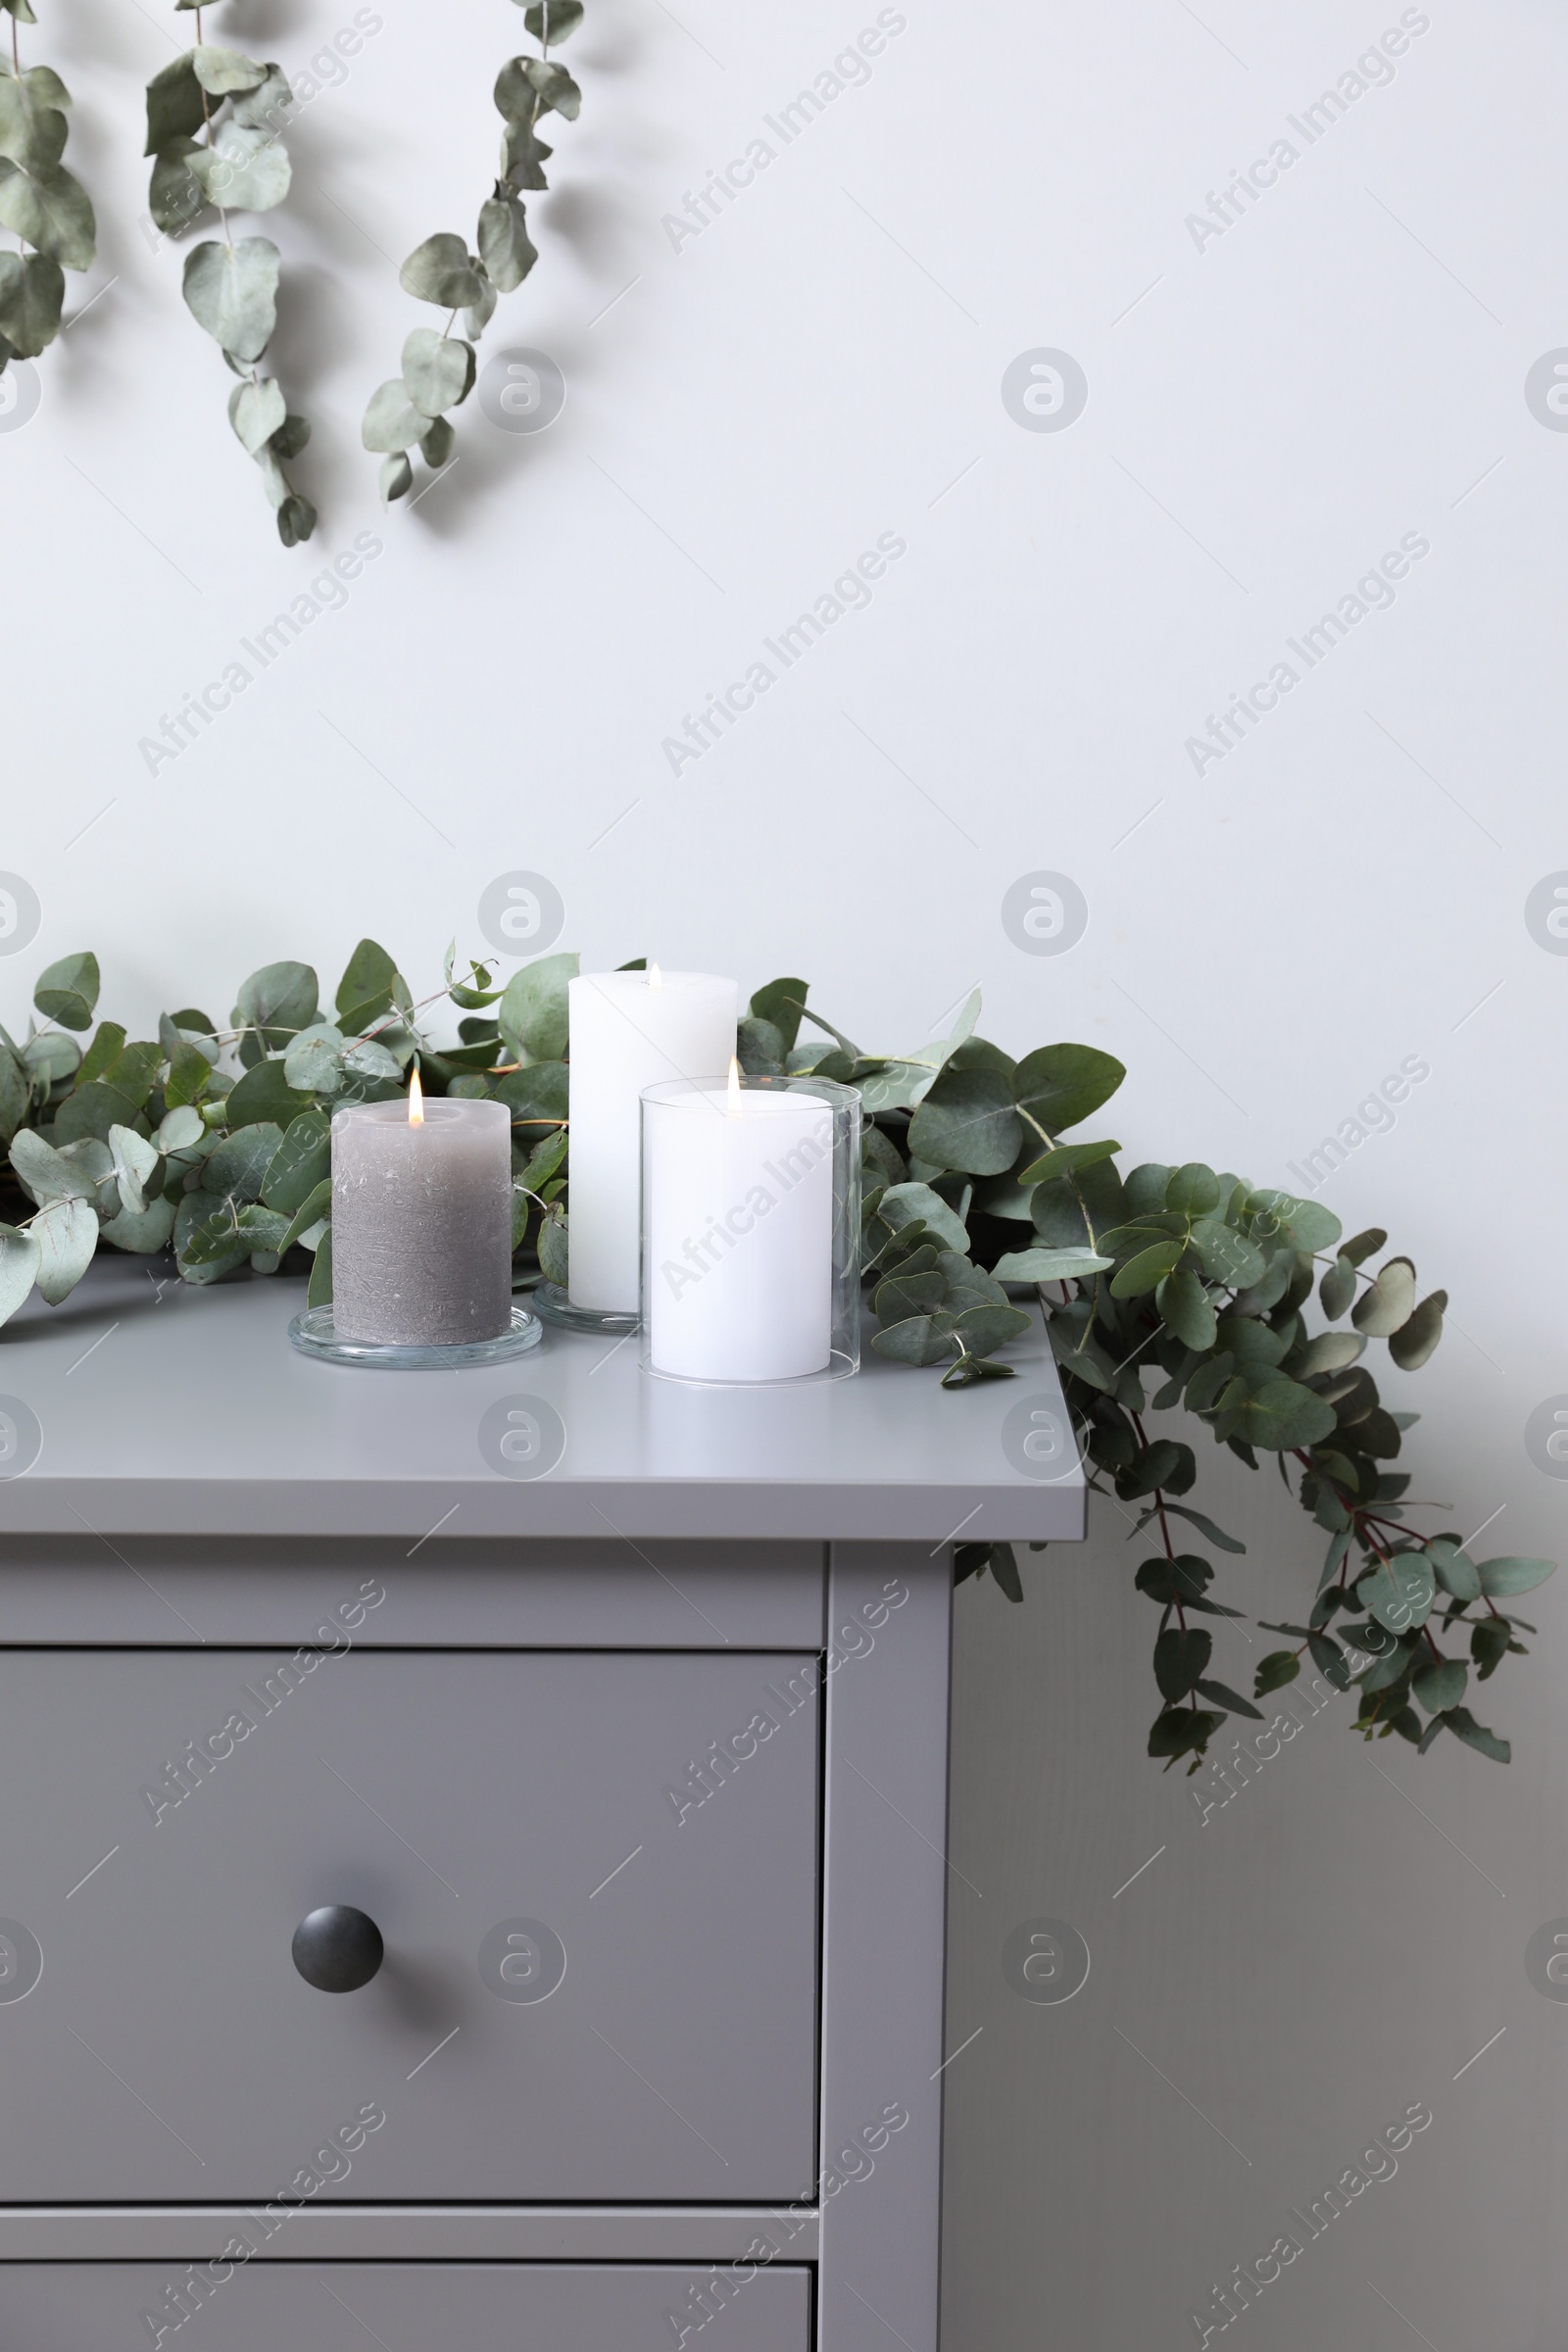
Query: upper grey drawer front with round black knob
[596, 1880]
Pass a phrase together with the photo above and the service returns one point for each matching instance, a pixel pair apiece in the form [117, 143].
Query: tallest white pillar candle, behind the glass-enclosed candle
[629, 1031]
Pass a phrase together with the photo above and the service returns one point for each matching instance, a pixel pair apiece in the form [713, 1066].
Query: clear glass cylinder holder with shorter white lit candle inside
[751, 1231]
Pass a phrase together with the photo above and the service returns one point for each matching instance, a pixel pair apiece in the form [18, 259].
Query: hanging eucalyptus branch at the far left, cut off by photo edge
[41, 201]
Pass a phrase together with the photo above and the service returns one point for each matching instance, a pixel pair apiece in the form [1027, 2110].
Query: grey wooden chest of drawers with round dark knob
[589, 1730]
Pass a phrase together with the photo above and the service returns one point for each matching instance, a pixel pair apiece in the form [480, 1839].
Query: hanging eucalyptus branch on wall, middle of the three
[215, 140]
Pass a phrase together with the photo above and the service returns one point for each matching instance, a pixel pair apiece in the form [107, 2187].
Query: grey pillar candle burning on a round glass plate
[422, 1222]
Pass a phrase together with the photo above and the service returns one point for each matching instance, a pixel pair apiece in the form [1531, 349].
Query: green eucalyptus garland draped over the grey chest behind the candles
[215, 1144]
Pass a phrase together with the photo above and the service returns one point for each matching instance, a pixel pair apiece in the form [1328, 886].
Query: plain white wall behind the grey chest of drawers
[1266, 417]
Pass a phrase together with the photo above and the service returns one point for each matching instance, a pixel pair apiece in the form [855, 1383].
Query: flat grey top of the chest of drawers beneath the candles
[145, 1405]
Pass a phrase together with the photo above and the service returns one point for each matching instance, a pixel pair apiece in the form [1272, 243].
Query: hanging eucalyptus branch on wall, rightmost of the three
[438, 370]
